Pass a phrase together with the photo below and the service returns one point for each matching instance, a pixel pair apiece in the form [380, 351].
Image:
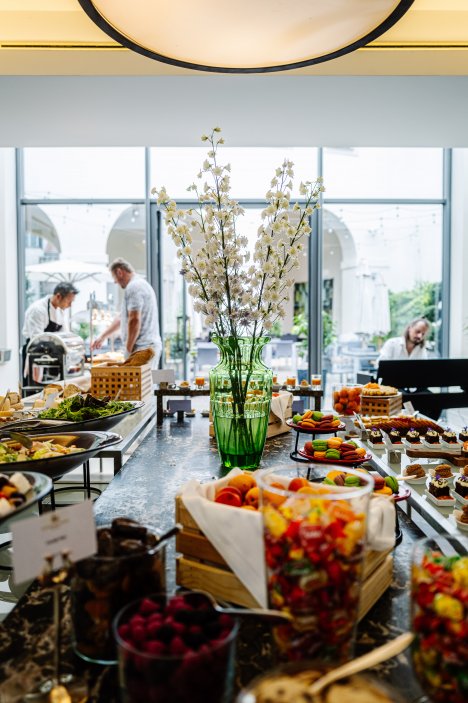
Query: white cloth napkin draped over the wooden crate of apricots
[238, 534]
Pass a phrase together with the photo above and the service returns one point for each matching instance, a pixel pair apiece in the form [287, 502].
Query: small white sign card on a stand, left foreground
[69, 529]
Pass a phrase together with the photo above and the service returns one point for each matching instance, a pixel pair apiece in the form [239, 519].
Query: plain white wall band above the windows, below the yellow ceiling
[252, 110]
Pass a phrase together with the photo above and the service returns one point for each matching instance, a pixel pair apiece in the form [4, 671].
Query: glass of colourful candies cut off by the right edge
[439, 600]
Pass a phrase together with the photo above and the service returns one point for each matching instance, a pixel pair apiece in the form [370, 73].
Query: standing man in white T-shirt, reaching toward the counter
[138, 320]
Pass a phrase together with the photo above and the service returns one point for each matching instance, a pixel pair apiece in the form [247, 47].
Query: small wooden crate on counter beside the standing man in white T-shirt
[133, 382]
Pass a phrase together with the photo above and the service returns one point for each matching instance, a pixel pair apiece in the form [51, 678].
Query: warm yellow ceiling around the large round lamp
[56, 37]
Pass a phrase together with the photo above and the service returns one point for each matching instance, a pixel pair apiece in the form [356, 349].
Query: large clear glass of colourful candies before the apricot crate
[314, 537]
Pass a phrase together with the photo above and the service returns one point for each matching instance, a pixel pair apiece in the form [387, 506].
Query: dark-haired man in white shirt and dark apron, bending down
[46, 314]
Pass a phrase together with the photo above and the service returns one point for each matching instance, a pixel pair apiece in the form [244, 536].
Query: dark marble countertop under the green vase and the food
[144, 490]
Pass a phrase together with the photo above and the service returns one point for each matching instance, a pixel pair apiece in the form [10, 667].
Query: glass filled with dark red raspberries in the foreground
[184, 654]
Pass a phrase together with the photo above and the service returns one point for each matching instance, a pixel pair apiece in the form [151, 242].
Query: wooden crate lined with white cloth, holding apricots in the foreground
[200, 565]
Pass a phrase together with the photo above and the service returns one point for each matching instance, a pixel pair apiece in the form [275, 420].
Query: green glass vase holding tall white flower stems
[240, 394]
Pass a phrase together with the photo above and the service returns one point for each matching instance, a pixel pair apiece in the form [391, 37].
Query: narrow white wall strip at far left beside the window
[9, 372]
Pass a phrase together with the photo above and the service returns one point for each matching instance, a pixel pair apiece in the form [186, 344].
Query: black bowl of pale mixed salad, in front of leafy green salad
[54, 467]
